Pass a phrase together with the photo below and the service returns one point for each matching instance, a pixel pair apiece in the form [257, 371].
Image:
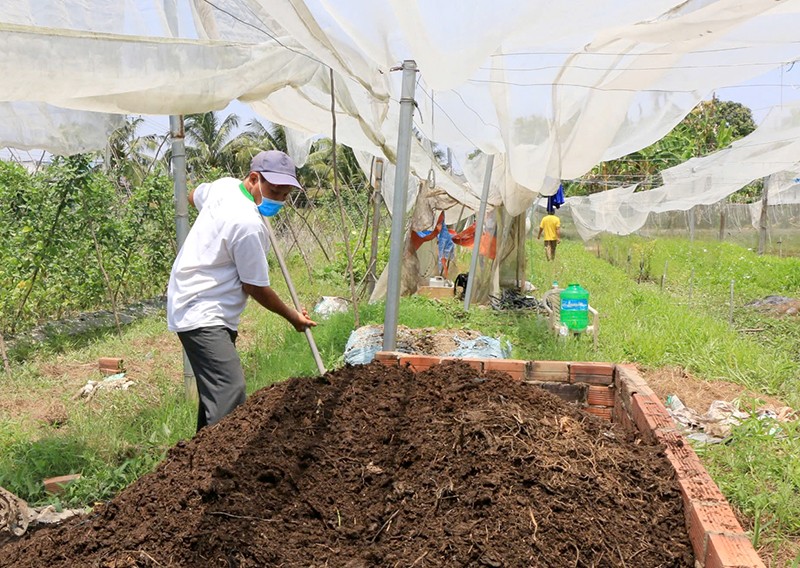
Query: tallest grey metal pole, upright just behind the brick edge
[399, 204]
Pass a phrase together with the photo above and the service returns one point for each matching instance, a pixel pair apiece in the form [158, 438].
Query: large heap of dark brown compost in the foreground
[374, 466]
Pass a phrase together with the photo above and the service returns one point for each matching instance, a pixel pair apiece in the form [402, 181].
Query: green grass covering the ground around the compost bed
[120, 436]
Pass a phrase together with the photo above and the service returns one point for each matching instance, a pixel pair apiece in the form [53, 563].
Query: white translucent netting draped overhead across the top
[552, 88]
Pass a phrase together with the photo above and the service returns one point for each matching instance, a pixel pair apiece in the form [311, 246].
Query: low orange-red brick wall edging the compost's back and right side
[619, 393]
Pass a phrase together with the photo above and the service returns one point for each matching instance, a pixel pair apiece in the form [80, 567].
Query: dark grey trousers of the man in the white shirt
[217, 371]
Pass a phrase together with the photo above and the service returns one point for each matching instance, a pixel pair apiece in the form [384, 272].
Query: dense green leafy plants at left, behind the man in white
[74, 239]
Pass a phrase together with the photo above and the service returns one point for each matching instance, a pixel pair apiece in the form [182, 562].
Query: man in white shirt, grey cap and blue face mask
[222, 262]
